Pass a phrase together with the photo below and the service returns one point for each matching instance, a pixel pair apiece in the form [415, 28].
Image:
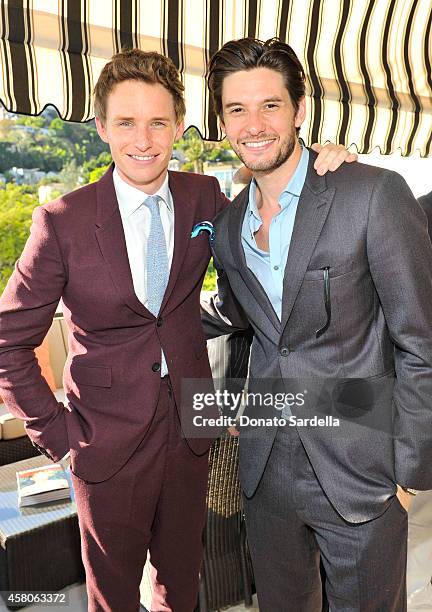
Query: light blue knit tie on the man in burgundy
[157, 258]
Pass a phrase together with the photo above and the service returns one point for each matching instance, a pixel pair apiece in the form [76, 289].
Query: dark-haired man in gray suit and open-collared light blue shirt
[334, 274]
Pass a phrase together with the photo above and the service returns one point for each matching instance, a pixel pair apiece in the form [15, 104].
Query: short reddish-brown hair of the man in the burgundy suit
[138, 65]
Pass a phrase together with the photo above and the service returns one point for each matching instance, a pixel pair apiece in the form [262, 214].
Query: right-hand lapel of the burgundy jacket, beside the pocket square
[184, 213]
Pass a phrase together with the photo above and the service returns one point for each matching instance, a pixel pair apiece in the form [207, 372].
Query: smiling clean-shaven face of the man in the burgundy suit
[140, 128]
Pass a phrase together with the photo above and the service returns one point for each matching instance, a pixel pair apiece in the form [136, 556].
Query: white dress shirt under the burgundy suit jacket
[136, 220]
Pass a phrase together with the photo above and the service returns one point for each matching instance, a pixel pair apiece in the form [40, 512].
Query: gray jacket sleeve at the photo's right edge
[400, 260]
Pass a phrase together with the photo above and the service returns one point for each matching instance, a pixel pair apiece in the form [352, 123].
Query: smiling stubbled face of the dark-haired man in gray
[259, 118]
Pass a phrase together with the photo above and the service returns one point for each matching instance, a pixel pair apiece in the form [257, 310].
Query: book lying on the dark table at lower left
[44, 484]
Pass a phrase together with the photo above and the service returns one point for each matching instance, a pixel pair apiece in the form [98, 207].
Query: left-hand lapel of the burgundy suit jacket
[112, 243]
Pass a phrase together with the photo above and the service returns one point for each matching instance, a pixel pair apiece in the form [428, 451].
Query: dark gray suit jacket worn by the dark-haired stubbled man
[365, 225]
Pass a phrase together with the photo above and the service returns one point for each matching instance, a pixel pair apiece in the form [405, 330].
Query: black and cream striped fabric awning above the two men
[368, 61]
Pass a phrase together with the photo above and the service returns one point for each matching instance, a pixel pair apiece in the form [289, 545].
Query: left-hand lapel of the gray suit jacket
[237, 213]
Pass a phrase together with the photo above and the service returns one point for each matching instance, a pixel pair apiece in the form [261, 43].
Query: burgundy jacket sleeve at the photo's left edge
[27, 307]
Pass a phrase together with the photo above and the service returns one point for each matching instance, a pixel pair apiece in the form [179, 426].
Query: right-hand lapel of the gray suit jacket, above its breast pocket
[313, 207]
